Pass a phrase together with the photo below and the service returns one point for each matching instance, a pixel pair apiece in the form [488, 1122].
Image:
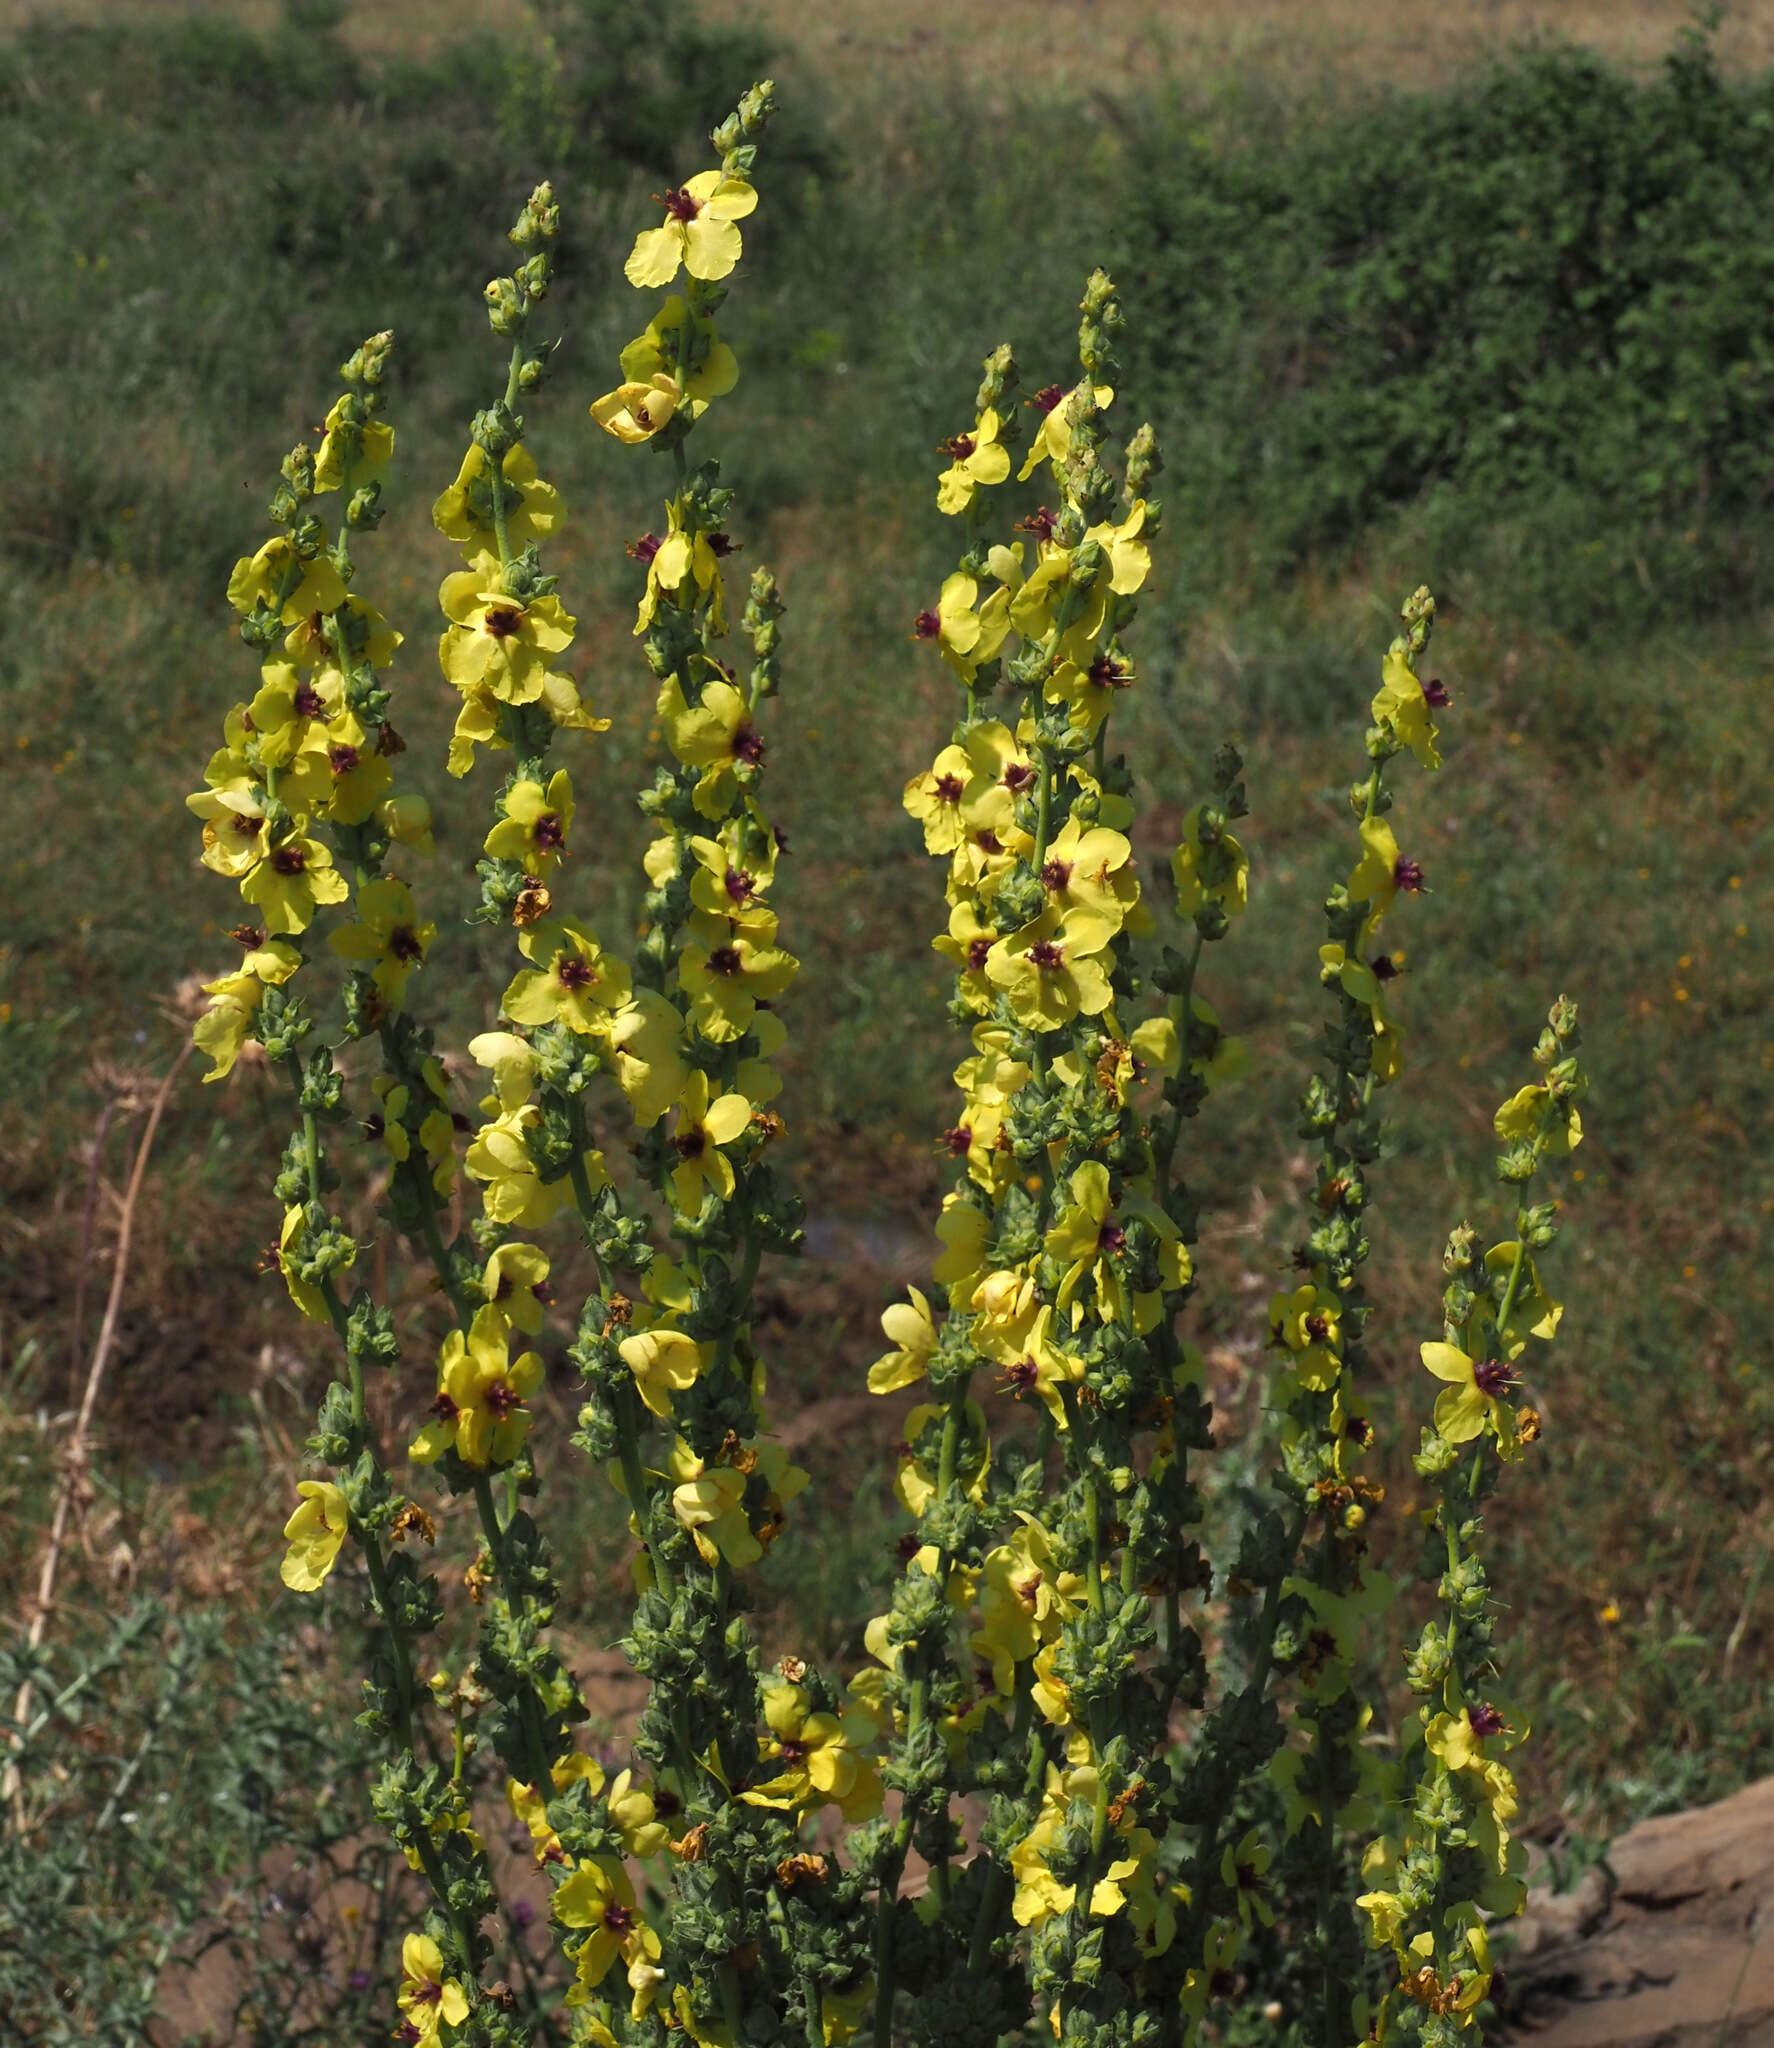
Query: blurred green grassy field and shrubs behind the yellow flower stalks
[1509, 331]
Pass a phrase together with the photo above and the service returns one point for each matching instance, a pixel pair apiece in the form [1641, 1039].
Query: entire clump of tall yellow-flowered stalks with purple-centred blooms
[1036, 1734]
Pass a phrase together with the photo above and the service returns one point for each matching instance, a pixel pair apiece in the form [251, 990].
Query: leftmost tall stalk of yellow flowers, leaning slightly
[300, 810]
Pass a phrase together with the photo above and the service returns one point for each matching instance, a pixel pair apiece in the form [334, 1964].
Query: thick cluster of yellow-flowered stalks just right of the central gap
[1038, 1641]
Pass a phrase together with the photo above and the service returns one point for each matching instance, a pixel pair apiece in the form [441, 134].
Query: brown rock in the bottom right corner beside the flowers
[1675, 1953]
